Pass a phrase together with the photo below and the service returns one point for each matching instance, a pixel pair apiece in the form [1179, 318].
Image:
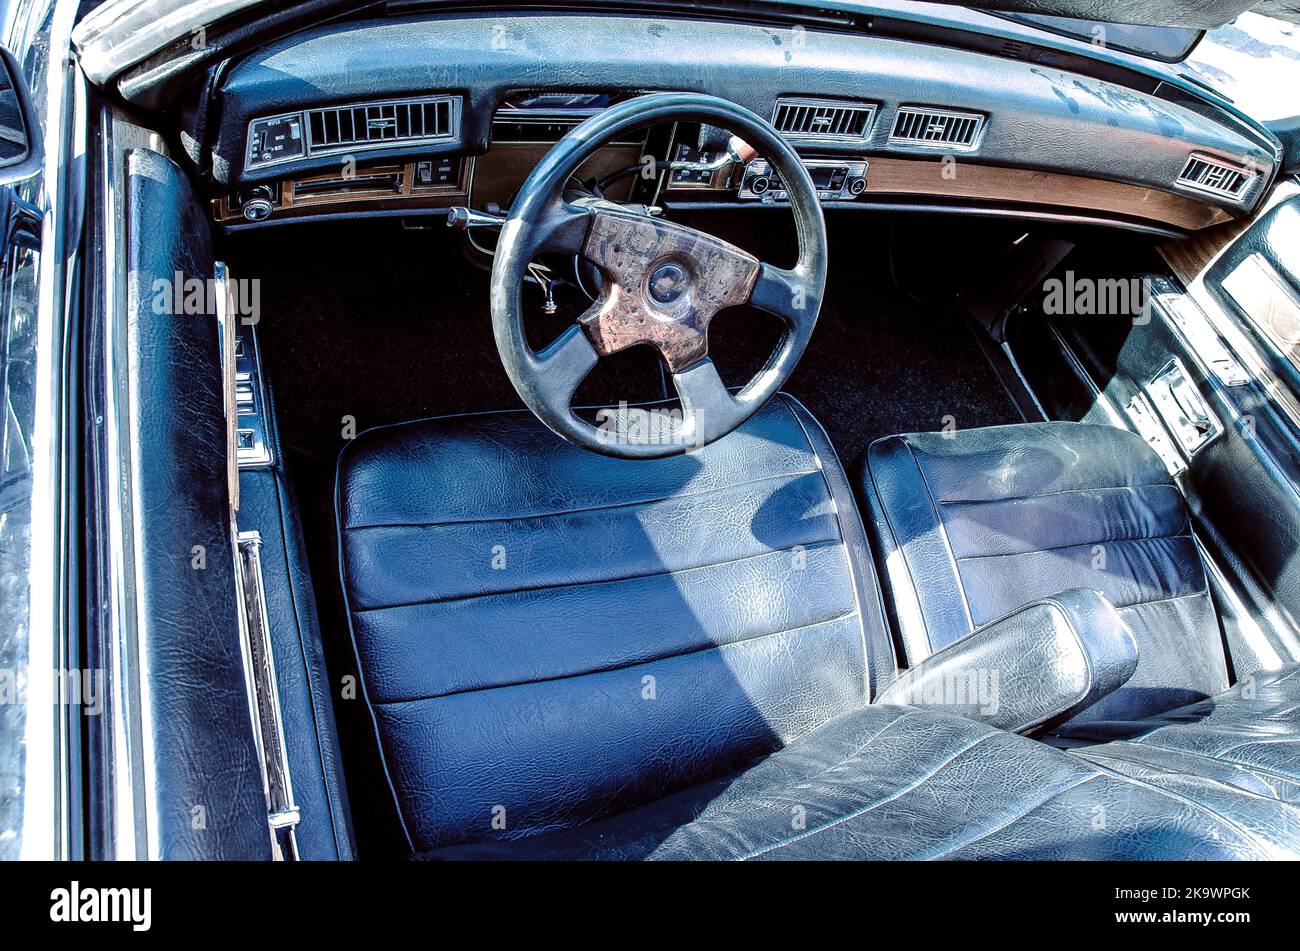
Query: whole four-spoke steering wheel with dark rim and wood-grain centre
[664, 285]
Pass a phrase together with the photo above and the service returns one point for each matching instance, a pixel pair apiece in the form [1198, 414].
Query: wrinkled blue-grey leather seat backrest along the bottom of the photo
[902, 783]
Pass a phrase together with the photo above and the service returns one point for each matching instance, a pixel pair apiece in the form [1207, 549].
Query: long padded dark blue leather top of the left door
[197, 707]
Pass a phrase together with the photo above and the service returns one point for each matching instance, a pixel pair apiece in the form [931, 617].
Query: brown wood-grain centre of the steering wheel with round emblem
[666, 284]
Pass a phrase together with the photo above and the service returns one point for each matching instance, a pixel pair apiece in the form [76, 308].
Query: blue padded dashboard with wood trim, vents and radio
[415, 115]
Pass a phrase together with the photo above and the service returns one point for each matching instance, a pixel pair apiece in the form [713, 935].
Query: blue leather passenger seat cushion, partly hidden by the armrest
[974, 524]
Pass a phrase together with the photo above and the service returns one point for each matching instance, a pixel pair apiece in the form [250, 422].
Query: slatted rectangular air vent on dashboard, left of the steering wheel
[380, 125]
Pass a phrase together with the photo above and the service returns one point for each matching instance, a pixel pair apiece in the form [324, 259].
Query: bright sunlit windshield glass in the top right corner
[1255, 62]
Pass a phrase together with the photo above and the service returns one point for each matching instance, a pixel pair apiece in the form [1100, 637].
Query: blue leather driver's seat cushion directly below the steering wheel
[547, 636]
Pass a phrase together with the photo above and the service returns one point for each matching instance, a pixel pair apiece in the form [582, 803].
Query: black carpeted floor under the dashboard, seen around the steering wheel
[380, 324]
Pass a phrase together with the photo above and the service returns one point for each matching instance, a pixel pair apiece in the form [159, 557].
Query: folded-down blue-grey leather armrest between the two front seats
[1030, 670]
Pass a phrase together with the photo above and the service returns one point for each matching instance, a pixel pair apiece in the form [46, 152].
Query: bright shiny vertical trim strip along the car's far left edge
[47, 815]
